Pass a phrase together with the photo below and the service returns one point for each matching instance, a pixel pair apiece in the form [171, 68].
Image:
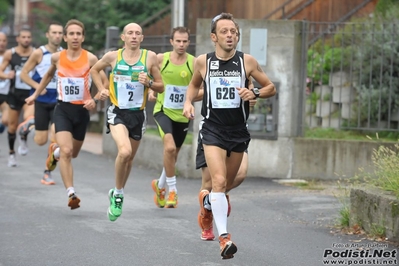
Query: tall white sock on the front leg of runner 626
[219, 211]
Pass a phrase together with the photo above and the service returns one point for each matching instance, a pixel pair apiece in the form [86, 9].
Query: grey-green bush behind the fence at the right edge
[377, 61]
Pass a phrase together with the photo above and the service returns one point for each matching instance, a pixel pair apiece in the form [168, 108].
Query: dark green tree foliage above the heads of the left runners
[98, 15]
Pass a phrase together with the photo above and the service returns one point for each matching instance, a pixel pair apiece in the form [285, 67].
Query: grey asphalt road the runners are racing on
[271, 224]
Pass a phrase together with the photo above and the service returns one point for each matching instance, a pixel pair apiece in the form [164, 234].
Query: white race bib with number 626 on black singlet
[224, 93]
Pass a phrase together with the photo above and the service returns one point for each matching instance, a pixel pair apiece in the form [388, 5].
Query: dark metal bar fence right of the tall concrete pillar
[352, 76]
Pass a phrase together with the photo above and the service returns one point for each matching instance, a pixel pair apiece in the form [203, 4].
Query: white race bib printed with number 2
[130, 93]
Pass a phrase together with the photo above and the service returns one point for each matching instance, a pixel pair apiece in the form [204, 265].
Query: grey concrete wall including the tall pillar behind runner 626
[288, 156]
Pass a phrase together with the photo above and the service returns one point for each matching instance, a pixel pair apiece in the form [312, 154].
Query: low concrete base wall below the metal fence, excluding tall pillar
[296, 157]
